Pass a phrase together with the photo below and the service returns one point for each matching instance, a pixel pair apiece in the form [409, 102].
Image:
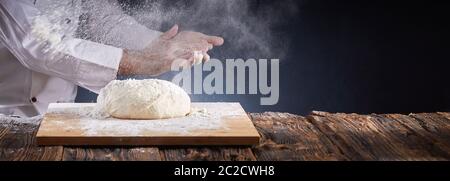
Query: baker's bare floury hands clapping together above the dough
[186, 48]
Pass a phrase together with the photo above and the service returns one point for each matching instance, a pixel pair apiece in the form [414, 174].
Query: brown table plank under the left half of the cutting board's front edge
[111, 154]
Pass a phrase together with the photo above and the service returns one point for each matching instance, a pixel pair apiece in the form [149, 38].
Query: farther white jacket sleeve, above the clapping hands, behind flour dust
[112, 26]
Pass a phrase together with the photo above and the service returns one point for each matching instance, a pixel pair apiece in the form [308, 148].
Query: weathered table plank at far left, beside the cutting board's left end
[18, 144]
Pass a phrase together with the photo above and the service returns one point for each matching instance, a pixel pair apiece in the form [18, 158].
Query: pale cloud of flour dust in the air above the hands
[249, 27]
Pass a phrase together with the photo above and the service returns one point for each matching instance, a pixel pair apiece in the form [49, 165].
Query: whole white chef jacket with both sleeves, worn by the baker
[30, 79]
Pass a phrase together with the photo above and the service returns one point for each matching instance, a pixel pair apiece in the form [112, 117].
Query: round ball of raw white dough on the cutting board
[143, 99]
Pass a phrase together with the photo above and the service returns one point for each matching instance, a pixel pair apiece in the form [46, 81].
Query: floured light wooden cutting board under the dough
[210, 124]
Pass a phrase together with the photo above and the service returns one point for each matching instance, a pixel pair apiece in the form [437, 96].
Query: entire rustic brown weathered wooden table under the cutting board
[319, 136]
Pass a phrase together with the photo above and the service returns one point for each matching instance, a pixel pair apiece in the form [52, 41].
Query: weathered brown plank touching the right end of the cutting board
[291, 137]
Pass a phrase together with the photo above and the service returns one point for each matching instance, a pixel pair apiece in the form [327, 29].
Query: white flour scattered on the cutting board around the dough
[94, 123]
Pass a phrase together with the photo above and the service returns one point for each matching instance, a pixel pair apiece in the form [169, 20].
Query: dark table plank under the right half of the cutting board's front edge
[207, 153]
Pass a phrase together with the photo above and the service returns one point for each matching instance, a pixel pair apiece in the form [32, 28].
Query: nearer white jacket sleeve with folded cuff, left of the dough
[85, 63]
